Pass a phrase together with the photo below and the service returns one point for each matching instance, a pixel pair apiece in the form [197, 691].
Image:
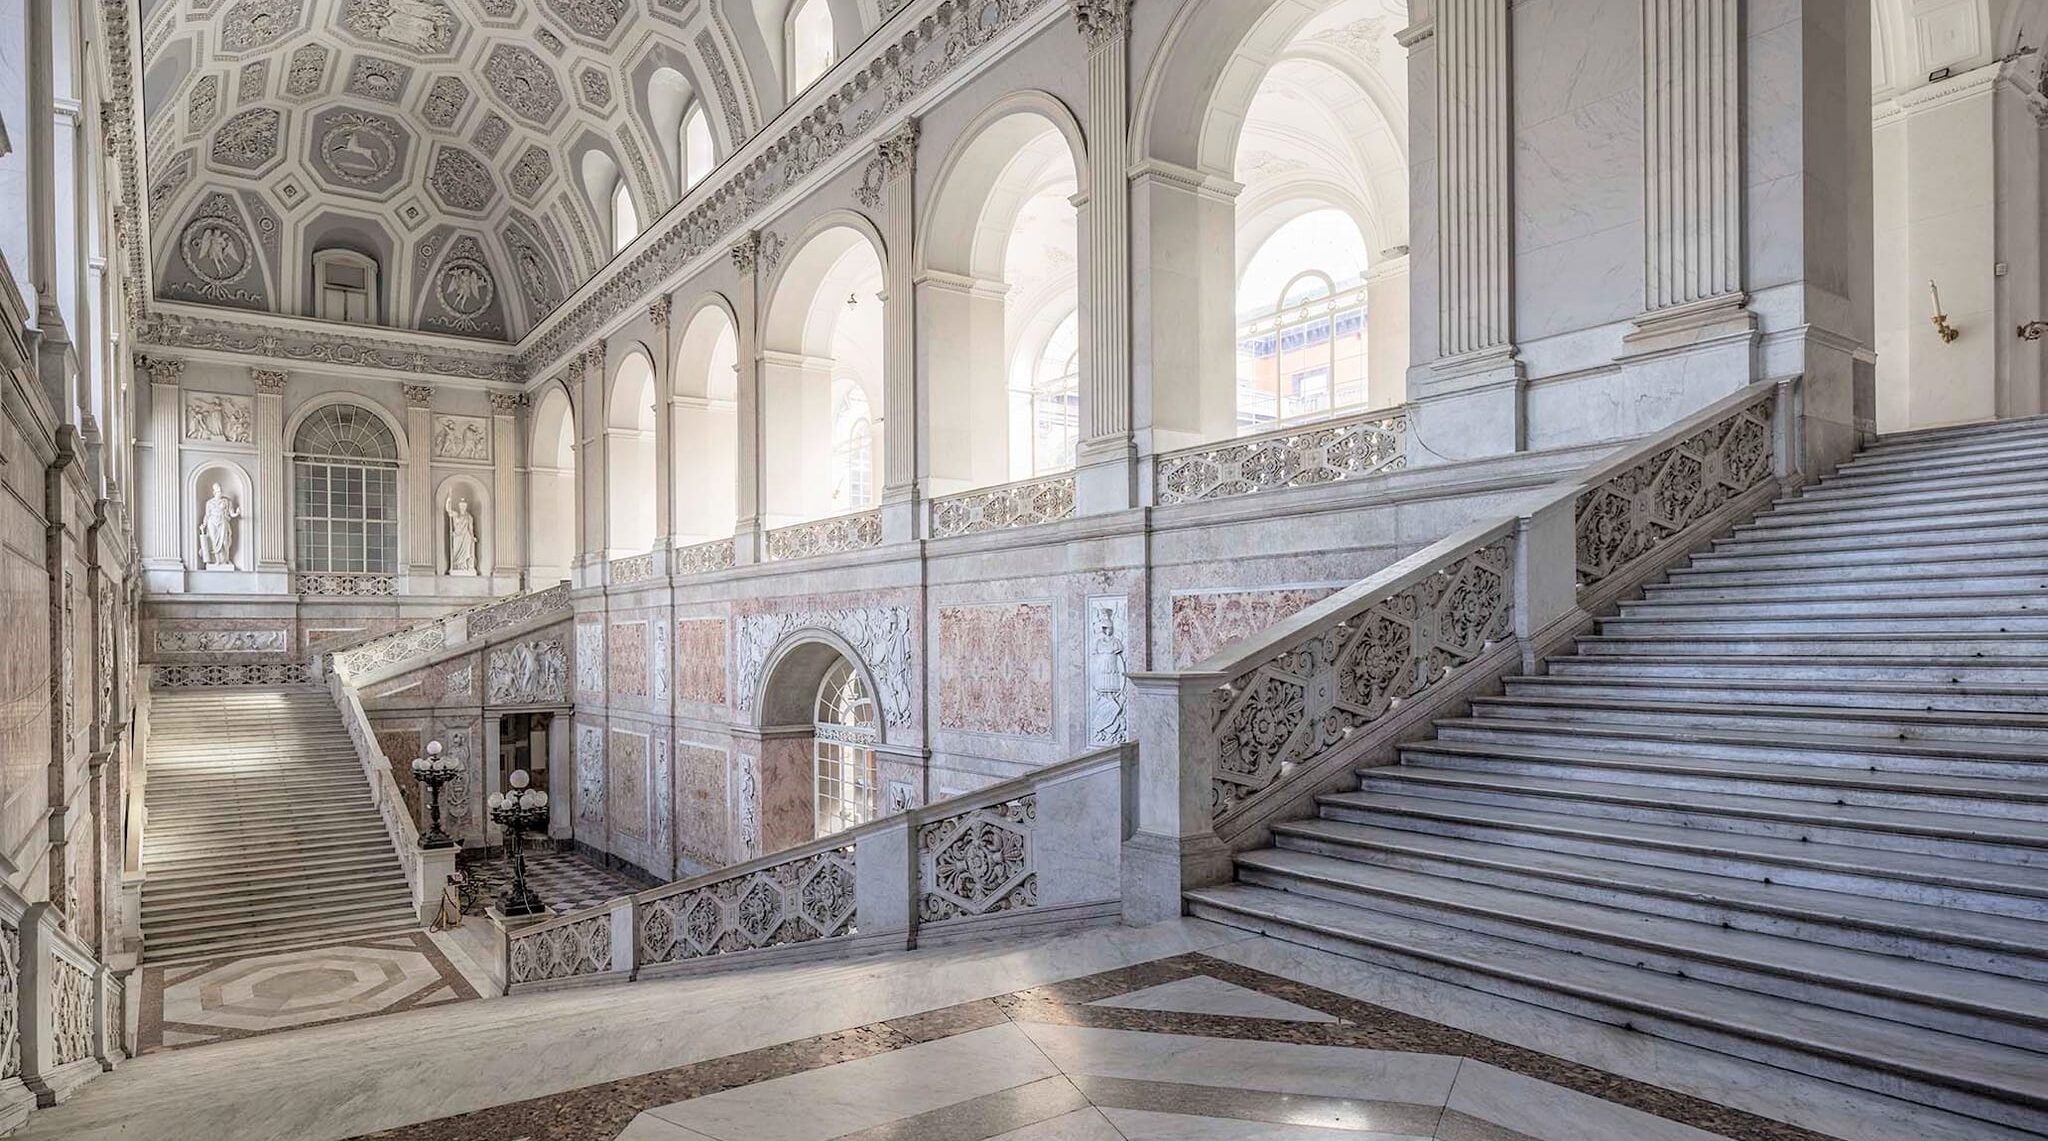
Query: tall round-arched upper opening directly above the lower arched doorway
[822, 345]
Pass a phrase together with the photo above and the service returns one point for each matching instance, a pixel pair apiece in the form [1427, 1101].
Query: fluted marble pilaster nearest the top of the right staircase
[1697, 337]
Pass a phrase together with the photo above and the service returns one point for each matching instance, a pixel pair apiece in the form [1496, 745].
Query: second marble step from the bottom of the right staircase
[1922, 995]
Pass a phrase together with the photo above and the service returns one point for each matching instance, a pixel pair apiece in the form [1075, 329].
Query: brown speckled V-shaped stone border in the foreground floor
[601, 1111]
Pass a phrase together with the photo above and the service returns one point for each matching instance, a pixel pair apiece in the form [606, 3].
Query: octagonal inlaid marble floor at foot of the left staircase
[210, 1001]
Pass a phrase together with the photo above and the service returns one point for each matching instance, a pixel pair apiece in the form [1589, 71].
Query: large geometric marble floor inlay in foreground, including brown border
[1187, 1048]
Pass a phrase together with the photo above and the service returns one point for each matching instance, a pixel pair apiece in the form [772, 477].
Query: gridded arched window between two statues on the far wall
[345, 493]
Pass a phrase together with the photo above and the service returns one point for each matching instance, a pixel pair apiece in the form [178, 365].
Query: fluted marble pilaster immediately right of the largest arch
[1471, 390]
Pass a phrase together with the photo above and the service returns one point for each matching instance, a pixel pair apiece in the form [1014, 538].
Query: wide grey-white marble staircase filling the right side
[1789, 806]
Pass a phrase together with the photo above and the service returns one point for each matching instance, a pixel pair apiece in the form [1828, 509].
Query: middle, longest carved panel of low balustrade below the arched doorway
[800, 900]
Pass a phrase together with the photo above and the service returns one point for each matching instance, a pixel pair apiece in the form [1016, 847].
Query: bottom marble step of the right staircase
[1969, 1076]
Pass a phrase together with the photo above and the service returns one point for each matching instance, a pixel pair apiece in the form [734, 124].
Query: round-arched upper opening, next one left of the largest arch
[998, 302]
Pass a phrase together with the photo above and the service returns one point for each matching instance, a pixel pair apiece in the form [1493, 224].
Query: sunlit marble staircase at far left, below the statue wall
[261, 831]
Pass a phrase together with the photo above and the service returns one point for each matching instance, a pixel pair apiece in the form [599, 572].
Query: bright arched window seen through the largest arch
[1302, 335]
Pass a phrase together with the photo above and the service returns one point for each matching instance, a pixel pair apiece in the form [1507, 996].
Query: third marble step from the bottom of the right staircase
[1979, 941]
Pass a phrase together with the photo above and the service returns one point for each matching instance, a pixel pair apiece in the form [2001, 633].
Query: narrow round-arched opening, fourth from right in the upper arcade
[706, 417]
